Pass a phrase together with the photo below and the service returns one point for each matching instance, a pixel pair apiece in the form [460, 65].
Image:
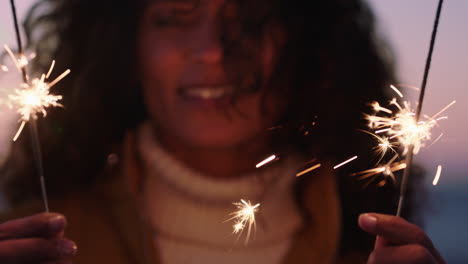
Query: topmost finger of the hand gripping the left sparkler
[40, 225]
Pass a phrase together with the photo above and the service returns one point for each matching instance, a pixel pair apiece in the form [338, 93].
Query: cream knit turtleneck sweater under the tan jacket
[188, 210]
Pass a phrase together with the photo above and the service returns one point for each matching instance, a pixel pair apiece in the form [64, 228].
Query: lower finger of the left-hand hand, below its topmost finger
[36, 250]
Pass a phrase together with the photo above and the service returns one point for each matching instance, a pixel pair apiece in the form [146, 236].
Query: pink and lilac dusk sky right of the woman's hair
[407, 25]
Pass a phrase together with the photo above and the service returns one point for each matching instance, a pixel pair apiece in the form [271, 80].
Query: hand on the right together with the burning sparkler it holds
[399, 241]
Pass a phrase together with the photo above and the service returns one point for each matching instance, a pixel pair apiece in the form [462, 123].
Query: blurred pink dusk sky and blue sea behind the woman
[407, 26]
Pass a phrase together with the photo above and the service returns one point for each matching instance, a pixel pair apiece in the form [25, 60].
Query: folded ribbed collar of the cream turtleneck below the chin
[159, 163]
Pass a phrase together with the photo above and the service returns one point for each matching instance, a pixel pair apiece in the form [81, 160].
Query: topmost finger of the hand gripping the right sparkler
[393, 230]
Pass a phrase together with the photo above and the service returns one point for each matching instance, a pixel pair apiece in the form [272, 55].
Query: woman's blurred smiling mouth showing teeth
[207, 92]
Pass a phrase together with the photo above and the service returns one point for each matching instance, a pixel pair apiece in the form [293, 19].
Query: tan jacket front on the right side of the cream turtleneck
[318, 199]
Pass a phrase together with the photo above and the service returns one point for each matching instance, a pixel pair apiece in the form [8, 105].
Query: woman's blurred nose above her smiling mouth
[207, 47]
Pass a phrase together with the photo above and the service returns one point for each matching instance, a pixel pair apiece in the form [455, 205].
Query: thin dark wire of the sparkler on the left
[36, 147]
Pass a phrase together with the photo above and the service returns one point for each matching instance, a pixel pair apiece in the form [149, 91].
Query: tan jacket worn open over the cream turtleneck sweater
[105, 223]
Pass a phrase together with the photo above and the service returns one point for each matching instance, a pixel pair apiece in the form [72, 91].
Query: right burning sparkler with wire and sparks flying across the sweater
[397, 127]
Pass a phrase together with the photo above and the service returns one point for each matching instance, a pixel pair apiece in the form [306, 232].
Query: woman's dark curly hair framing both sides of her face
[332, 62]
